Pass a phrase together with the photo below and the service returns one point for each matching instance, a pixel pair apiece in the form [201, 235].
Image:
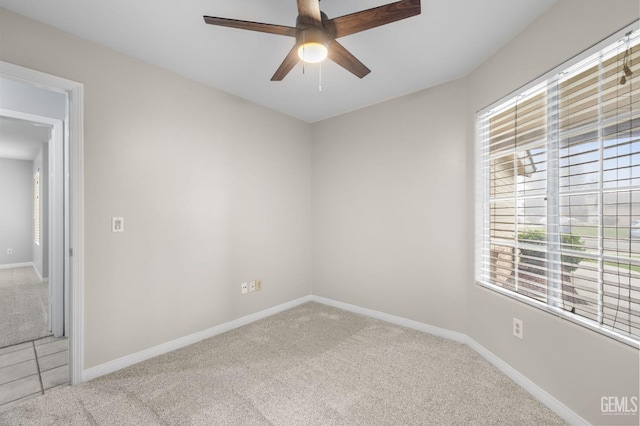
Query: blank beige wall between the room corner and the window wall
[389, 200]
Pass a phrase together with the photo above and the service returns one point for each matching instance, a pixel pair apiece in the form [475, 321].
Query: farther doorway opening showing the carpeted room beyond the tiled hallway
[25, 284]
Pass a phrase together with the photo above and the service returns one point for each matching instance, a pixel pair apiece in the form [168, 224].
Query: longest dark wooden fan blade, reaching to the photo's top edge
[371, 18]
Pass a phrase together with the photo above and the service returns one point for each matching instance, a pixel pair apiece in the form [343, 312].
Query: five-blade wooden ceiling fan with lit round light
[316, 34]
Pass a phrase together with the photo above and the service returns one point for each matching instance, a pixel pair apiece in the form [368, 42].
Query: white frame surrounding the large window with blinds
[483, 239]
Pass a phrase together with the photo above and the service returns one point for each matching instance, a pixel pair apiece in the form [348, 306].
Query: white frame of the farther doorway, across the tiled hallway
[58, 280]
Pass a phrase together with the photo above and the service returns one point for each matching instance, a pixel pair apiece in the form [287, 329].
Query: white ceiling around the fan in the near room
[448, 40]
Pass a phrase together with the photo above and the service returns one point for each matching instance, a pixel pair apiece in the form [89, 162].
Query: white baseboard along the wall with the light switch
[126, 361]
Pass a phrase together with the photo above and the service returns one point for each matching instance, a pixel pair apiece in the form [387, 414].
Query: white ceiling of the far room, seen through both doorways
[20, 139]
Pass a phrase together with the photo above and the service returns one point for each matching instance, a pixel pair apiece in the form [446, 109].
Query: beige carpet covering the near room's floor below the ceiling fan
[311, 365]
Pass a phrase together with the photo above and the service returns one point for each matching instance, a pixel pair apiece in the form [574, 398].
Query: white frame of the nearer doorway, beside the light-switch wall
[73, 145]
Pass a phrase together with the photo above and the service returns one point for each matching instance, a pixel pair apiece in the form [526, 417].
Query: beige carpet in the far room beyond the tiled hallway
[24, 306]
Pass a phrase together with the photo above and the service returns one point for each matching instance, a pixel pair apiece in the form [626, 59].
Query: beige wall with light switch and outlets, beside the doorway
[214, 191]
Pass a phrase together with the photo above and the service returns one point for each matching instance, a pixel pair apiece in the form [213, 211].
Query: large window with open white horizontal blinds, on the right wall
[558, 192]
